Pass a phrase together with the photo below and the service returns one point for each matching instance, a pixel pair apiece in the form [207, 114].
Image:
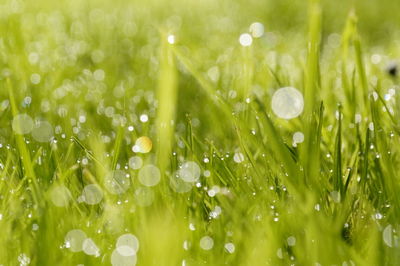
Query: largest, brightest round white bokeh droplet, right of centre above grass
[287, 103]
